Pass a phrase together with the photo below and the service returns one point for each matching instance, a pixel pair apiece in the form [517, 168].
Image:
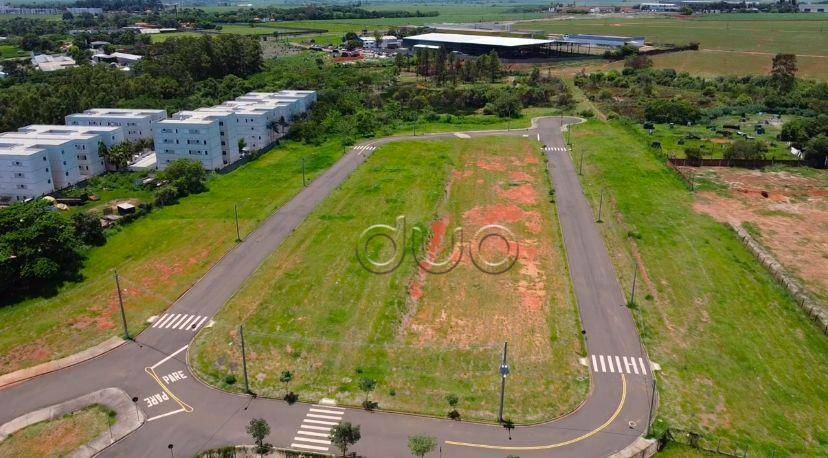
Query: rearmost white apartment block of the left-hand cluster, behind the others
[137, 124]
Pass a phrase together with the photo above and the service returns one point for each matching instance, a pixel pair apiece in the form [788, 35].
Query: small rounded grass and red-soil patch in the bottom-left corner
[58, 437]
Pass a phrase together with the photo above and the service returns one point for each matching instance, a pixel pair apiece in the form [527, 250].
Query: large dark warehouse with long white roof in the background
[475, 45]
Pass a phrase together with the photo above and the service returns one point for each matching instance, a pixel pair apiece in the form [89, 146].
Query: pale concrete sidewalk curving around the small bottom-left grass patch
[129, 418]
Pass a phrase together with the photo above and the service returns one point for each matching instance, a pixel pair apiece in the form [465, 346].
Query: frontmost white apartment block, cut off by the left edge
[24, 172]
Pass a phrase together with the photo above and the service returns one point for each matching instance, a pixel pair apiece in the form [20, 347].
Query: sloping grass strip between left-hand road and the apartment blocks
[158, 257]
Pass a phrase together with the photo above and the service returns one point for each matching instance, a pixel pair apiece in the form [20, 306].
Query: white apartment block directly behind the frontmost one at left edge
[60, 154]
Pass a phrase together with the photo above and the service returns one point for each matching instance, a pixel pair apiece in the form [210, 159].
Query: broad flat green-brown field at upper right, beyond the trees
[731, 44]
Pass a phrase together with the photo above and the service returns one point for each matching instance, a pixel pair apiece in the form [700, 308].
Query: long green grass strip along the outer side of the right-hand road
[740, 360]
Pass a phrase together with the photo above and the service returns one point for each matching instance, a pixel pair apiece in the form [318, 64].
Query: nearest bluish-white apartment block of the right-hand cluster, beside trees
[194, 135]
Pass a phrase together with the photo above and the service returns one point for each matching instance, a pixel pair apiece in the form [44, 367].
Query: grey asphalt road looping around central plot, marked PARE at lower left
[192, 416]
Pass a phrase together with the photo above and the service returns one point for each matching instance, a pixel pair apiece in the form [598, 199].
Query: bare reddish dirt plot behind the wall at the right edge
[786, 210]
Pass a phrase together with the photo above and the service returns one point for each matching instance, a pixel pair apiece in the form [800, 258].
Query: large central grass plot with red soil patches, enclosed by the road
[319, 314]
